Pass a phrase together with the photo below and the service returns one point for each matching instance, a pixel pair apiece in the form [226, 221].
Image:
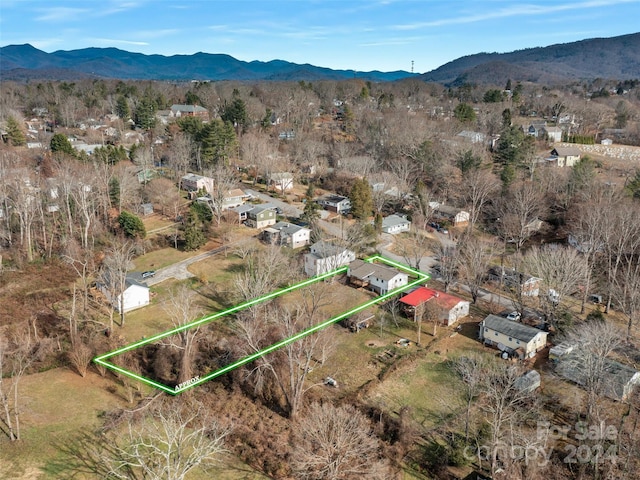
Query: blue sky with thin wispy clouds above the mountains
[363, 35]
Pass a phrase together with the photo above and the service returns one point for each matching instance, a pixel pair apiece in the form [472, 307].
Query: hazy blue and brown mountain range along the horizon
[615, 58]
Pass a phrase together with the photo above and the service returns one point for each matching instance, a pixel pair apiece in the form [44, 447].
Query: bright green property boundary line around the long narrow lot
[102, 359]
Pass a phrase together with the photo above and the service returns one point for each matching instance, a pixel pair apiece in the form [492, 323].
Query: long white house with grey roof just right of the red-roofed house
[512, 337]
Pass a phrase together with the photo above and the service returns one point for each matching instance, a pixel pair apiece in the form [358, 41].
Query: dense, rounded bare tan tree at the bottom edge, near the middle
[336, 444]
